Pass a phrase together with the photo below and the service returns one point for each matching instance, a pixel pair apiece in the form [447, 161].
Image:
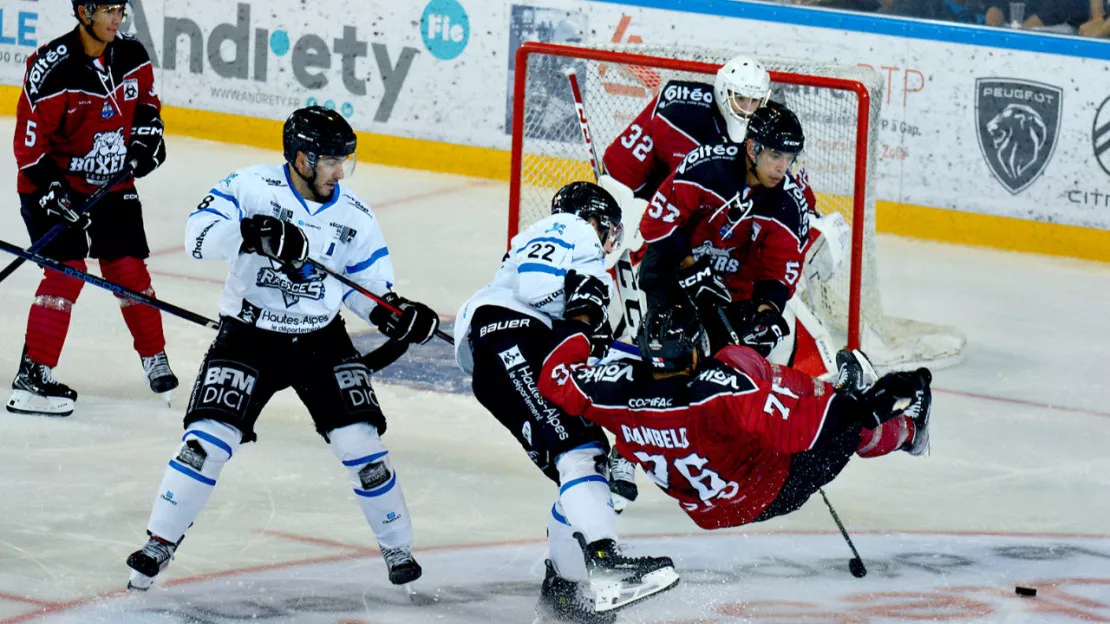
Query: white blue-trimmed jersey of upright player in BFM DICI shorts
[344, 236]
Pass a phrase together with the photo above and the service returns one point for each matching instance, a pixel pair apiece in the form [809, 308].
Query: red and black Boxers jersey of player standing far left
[75, 115]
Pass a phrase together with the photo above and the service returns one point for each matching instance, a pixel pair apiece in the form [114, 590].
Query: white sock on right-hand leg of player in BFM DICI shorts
[375, 482]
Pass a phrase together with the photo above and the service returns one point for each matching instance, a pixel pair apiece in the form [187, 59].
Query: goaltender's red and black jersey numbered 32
[681, 118]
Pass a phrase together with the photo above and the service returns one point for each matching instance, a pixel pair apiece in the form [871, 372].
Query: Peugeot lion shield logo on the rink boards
[1017, 123]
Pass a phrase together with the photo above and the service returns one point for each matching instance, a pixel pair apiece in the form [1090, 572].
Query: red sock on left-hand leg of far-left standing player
[48, 323]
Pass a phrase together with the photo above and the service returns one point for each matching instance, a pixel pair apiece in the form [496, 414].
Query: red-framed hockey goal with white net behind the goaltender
[839, 106]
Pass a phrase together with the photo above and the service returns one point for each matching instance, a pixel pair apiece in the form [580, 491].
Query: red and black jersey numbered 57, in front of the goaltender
[750, 235]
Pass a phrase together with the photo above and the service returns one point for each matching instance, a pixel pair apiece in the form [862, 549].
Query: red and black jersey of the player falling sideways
[719, 442]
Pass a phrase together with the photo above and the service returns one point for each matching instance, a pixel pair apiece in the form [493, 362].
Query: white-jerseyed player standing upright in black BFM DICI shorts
[280, 328]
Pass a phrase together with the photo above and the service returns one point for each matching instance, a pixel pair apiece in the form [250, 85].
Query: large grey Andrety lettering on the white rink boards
[243, 49]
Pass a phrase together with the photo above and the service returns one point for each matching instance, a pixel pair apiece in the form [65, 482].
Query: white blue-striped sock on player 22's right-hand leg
[584, 492]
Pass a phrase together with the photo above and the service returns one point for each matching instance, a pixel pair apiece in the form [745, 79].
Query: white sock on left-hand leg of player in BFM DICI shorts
[191, 477]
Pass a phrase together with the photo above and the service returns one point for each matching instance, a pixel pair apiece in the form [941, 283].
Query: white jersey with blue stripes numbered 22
[531, 277]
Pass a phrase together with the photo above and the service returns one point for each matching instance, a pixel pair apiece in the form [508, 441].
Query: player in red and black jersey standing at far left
[88, 108]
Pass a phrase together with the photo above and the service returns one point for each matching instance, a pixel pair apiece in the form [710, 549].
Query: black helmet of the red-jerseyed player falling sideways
[670, 337]
